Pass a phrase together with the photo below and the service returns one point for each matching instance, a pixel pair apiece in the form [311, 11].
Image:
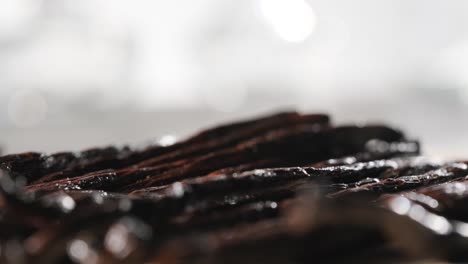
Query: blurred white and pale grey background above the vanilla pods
[75, 74]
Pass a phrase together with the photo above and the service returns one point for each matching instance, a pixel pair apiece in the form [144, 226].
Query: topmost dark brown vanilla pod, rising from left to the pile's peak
[66, 165]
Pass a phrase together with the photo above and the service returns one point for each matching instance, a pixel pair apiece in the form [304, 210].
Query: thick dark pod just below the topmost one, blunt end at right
[303, 144]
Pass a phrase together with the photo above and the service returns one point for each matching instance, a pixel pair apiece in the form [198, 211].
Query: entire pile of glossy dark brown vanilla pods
[285, 188]
